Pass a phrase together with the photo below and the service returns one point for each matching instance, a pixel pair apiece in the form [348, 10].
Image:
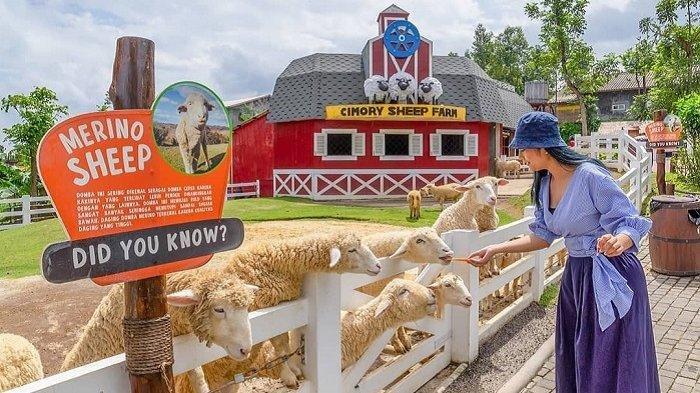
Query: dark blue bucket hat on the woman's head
[537, 130]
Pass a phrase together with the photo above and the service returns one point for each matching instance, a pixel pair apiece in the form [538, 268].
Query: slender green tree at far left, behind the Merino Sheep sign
[39, 111]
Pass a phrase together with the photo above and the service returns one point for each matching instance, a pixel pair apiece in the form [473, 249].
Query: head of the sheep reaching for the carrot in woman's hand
[423, 245]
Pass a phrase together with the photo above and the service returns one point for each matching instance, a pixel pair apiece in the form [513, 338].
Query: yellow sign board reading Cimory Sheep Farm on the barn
[396, 112]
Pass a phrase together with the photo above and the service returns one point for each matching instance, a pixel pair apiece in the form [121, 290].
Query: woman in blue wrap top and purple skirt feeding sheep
[604, 337]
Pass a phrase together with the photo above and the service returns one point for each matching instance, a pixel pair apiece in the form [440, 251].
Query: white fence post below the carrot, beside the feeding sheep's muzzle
[465, 322]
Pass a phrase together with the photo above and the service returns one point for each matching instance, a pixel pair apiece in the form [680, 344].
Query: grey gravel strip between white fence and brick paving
[506, 351]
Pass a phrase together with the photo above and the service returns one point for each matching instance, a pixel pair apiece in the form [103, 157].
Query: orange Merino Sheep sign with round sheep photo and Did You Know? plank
[140, 193]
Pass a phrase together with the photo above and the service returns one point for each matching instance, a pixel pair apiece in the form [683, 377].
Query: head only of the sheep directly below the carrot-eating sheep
[407, 300]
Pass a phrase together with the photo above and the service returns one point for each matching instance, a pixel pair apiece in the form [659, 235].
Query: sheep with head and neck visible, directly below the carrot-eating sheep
[401, 302]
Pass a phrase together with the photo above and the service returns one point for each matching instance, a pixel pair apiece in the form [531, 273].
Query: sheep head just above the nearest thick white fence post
[354, 257]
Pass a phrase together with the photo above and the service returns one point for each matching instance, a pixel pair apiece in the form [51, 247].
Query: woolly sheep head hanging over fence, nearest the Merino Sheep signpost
[218, 311]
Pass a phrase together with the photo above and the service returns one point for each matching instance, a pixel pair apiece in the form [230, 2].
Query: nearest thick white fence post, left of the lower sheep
[322, 337]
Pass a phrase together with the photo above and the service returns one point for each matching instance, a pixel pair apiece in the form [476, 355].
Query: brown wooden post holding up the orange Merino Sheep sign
[133, 87]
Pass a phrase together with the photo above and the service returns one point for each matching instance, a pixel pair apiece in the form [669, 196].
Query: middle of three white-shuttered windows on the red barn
[397, 144]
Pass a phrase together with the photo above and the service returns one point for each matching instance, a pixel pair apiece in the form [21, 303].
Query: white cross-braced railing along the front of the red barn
[334, 184]
